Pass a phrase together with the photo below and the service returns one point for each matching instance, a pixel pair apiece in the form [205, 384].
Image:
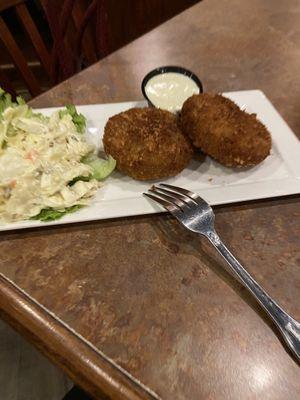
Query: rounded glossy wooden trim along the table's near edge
[85, 365]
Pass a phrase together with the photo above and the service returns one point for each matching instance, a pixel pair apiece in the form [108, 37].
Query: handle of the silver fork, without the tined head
[289, 328]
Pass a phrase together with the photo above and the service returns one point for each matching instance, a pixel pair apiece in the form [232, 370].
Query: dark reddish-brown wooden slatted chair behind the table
[76, 42]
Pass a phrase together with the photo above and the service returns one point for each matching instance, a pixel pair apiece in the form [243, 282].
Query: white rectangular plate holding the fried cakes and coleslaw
[122, 196]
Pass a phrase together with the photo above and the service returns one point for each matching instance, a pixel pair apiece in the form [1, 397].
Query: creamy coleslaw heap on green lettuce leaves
[47, 167]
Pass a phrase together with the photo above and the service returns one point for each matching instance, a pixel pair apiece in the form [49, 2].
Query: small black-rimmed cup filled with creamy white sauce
[168, 87]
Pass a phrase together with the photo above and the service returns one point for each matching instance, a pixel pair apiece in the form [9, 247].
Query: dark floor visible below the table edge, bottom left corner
[24, 373]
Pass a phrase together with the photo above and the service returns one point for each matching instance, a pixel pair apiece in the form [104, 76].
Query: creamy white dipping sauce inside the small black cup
[170, 90]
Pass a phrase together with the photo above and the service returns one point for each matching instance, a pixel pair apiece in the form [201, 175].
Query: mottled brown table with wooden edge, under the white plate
[143, 295]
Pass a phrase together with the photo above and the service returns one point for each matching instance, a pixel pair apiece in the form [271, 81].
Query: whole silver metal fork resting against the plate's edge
[196, 215]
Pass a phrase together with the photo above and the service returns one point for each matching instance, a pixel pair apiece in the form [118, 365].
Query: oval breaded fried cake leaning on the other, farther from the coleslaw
[222, 130]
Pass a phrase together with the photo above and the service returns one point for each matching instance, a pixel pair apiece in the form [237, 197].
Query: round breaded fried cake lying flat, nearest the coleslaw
[147, 143]
